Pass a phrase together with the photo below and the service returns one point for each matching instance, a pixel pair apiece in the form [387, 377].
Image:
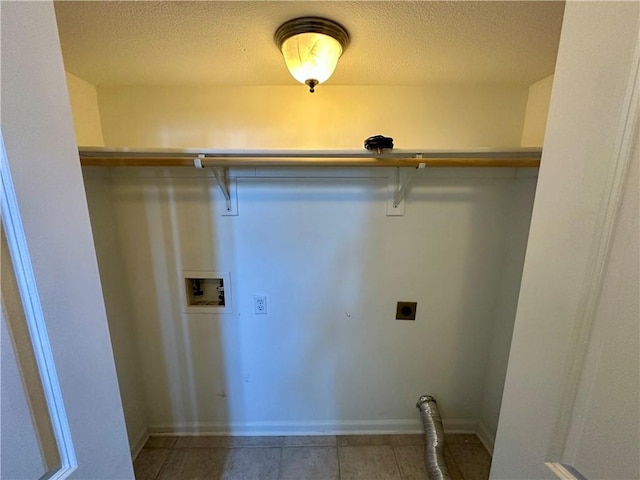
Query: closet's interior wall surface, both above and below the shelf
[328, 355]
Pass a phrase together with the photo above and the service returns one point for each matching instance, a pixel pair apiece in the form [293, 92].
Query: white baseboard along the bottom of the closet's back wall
[353, 427]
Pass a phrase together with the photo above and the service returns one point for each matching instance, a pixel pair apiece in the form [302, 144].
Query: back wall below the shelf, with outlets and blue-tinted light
[329, 356]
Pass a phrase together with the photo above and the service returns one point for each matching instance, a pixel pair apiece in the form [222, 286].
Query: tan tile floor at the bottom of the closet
[342, 457]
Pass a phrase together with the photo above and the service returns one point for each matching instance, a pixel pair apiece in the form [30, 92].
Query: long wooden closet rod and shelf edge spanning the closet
[106, 157]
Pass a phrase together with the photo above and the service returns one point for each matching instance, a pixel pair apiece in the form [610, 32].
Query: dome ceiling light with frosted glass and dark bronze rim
[311, 47]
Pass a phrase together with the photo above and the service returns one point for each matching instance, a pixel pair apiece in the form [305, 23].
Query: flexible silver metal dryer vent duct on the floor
[434, 450]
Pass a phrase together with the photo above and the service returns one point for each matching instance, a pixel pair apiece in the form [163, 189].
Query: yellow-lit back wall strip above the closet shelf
[333, 117]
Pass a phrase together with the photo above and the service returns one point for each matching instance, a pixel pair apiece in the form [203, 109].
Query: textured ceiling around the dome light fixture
[231, 43]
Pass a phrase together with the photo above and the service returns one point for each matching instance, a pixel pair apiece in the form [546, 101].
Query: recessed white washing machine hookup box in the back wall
[207, 292]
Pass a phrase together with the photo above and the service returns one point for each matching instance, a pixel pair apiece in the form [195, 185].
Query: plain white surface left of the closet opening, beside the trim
[38, 134]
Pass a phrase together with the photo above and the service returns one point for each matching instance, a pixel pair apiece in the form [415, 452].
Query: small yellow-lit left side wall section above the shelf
[86, 115]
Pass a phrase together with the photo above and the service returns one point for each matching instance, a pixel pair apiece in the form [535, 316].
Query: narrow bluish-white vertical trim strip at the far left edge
[17, 244]
